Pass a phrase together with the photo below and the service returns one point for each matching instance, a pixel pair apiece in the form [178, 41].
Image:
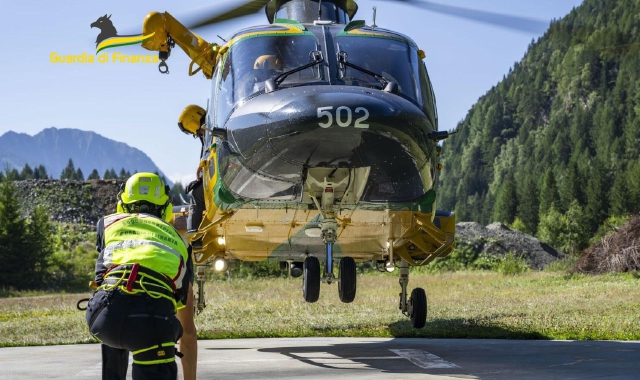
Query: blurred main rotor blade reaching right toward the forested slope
[522, 24]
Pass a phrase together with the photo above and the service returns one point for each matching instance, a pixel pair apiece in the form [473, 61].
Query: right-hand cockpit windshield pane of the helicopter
[394, 60]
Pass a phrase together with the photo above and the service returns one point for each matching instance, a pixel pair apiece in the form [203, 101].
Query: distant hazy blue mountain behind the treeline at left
[53, 148]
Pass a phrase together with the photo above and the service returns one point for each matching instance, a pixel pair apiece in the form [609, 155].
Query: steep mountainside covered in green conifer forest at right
[558, 139]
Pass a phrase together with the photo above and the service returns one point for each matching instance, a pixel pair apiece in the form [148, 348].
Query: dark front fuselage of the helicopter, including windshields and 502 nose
[363, 98]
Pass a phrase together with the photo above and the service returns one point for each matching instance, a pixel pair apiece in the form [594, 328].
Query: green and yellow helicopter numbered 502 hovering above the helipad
[321, 147]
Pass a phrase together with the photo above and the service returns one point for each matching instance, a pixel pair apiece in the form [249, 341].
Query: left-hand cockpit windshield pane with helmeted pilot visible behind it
[250, 62]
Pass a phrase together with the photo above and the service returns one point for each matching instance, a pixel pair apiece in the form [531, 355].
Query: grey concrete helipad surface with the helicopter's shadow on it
[358, 358]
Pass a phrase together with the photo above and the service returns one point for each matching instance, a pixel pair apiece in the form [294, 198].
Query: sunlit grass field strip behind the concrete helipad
[532, 305]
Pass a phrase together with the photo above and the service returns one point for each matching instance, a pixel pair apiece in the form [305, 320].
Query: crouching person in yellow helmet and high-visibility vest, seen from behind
[144, 275]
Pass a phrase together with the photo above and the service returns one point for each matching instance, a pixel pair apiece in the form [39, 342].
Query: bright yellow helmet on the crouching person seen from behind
[145, 193]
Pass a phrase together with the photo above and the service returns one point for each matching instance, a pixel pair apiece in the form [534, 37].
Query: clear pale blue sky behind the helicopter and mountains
[135, 104]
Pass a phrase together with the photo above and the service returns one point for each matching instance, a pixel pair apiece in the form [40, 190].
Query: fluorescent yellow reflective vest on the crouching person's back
[146, 240]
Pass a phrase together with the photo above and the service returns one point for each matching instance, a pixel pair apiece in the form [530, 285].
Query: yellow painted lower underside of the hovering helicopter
[363, 235]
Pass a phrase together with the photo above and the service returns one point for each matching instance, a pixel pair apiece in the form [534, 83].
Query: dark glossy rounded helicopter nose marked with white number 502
[325, 126]
